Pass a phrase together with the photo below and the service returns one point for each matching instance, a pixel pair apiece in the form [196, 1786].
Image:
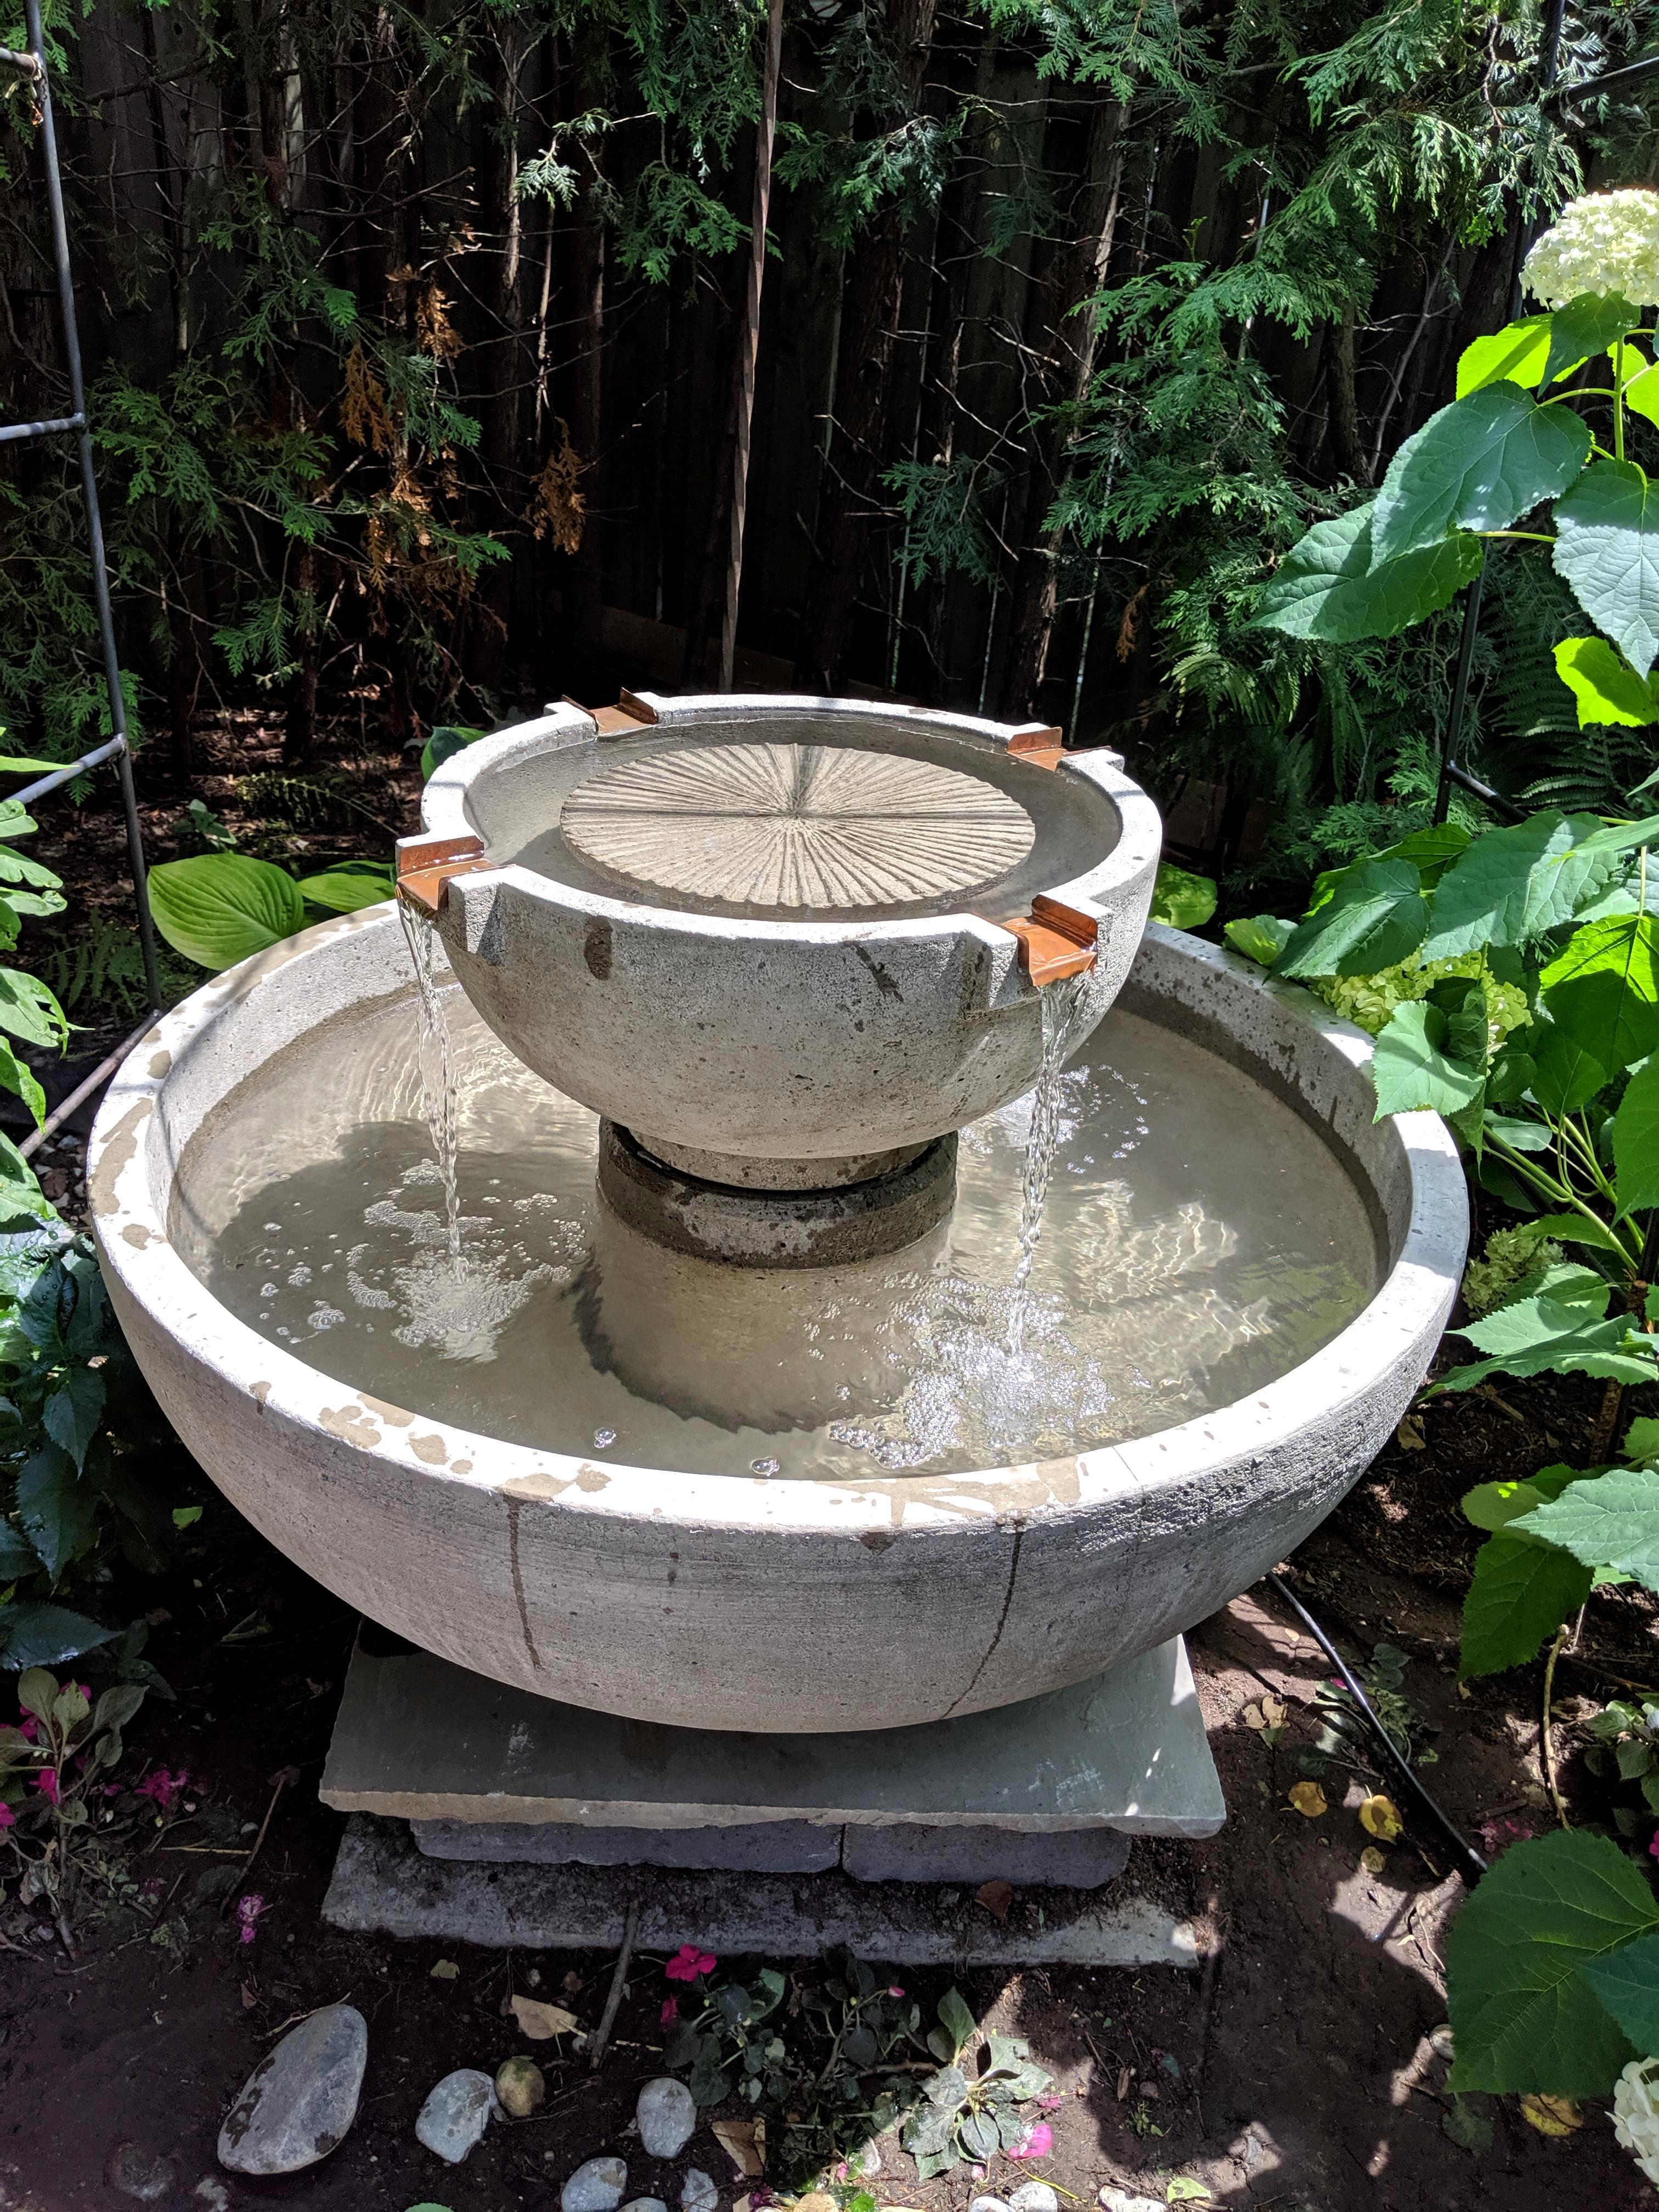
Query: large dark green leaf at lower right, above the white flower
[1523, 2016]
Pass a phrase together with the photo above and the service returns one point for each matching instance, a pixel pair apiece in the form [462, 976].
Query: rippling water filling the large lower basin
[1198, 1242]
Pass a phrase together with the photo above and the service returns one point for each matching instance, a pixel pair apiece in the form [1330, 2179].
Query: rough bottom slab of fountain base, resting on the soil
[384, 1886]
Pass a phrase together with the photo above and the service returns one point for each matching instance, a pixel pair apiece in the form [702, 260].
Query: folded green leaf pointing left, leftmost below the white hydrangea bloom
[1331, 585]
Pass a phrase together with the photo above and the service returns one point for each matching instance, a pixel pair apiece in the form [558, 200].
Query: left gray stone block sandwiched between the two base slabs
[760, 1848]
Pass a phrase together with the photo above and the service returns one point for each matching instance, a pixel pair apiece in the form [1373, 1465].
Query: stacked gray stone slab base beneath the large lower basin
[497, 1786]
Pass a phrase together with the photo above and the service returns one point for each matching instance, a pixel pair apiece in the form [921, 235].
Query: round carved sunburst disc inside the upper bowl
[797, 826]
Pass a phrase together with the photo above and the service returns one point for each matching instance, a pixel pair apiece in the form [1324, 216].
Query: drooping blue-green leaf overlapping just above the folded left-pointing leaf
[1477, 466]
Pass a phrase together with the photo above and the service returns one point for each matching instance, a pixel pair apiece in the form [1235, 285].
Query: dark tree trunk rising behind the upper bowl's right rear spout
[1065, 386]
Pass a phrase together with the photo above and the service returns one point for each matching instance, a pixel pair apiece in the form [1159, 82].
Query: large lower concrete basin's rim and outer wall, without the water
[1116, 1550]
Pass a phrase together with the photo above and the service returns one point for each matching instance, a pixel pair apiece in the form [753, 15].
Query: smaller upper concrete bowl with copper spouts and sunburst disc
[782, 941]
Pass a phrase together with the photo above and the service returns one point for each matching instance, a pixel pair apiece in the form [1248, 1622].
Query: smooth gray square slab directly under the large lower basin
[424, 1740]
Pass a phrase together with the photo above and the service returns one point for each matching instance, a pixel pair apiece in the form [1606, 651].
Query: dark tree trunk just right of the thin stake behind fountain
[864, 375]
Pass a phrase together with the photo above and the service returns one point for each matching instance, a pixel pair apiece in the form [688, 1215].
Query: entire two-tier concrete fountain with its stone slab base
[747, 1479]
